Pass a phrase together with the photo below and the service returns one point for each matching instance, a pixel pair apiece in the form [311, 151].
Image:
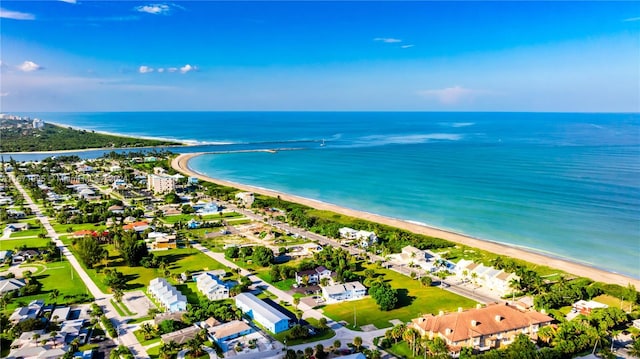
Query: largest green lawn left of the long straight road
[56, 275]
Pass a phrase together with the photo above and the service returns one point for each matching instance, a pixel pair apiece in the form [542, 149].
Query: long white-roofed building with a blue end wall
[266, 315]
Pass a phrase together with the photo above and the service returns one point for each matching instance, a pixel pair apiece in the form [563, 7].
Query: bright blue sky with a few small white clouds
[432, 56]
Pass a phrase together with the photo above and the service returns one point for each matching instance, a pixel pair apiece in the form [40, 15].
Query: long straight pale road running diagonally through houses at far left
[126, 337]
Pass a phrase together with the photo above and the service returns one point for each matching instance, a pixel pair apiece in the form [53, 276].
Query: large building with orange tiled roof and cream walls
[482, 328]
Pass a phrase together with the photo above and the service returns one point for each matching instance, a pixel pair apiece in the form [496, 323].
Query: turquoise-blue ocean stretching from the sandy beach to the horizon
[562, 184]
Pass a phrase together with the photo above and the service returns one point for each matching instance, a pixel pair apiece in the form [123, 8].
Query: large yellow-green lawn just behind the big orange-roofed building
[414, 300]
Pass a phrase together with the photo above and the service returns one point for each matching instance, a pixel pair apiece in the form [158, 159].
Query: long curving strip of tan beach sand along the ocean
[180, 163]
